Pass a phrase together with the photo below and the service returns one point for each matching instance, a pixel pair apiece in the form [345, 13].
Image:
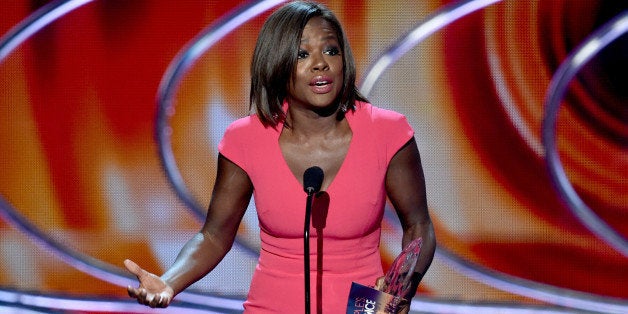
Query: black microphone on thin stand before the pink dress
[312, 182]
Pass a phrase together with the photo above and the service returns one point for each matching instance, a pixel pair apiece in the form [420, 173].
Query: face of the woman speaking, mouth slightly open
[319, 72]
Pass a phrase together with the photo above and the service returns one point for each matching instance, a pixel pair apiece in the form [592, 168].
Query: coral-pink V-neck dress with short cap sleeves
[349, 241]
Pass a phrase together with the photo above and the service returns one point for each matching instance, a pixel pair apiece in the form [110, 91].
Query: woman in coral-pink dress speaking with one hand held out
[308, 112]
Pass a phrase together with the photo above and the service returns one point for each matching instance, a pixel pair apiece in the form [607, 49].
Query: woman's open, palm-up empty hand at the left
[152, 291]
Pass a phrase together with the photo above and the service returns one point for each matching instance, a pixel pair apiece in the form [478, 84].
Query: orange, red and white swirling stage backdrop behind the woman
[96, 167]
